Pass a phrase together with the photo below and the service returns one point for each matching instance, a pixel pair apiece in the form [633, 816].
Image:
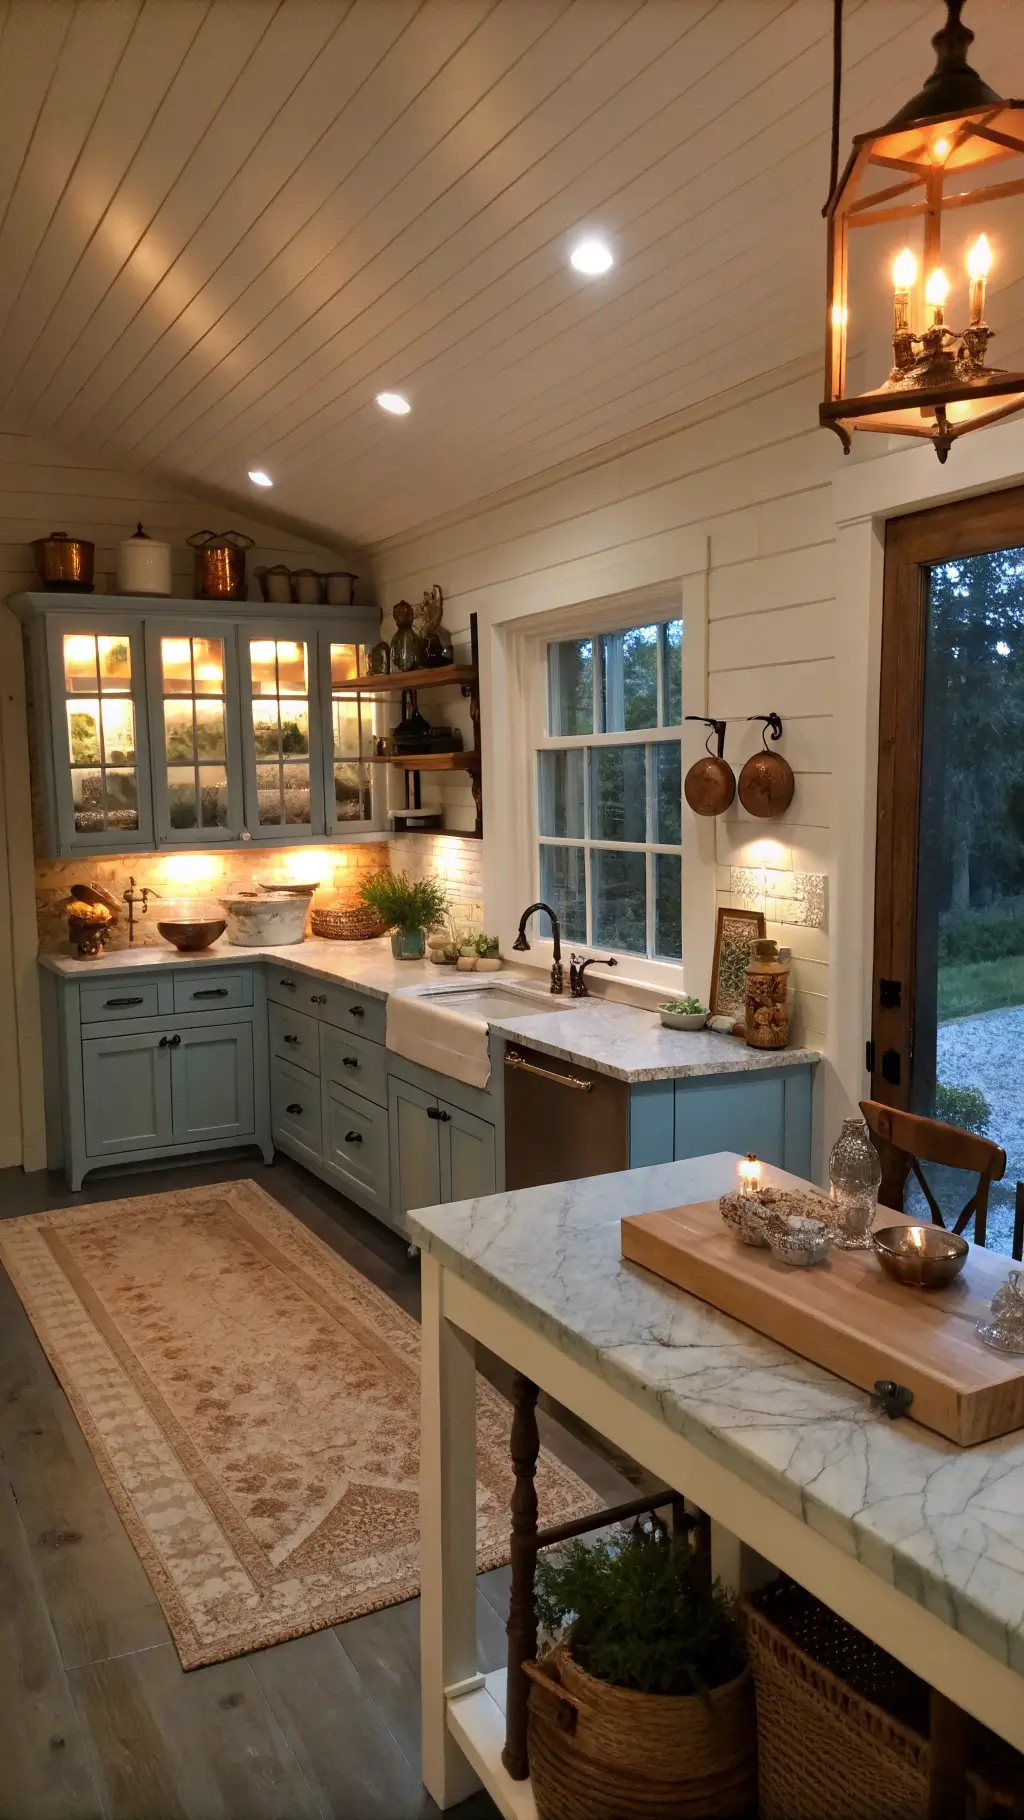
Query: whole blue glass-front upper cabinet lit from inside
[197, 723]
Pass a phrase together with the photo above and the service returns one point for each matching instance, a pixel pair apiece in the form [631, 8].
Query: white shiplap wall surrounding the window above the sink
[756, 478]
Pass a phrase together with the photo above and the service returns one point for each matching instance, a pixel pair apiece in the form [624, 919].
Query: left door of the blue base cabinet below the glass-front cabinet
[128, 1095]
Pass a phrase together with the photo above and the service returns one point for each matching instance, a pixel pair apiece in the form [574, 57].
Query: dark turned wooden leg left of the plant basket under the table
[523, 1612]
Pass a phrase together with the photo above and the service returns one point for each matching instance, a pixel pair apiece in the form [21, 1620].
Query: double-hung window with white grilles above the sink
[610, 791]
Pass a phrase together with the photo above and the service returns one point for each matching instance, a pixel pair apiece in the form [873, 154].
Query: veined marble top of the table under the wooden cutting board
[939, 1522]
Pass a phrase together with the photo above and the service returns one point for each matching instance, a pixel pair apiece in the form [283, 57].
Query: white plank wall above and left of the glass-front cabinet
[45, 489]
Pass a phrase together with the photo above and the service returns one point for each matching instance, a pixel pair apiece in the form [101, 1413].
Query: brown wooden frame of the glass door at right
[969, 529]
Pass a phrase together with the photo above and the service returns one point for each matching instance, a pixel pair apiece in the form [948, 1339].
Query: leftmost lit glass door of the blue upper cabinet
[99, 738]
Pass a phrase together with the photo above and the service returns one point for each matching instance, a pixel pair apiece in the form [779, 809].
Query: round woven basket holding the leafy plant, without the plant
[608, 1754]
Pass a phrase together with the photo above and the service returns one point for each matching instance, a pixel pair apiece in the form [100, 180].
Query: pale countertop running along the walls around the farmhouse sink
[603, 1035]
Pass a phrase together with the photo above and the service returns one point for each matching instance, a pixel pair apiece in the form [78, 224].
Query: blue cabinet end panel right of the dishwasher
[767, 1111]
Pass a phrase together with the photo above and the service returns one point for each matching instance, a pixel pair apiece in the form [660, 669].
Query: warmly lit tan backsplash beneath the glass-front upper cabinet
[190, 876]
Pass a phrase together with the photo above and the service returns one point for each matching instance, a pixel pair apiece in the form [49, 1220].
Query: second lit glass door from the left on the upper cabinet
[194, 711]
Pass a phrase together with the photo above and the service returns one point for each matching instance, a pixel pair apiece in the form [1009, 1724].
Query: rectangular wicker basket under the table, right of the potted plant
[843, 1726]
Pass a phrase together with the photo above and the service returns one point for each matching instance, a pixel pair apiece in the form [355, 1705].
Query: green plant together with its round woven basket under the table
[643, 1706]
